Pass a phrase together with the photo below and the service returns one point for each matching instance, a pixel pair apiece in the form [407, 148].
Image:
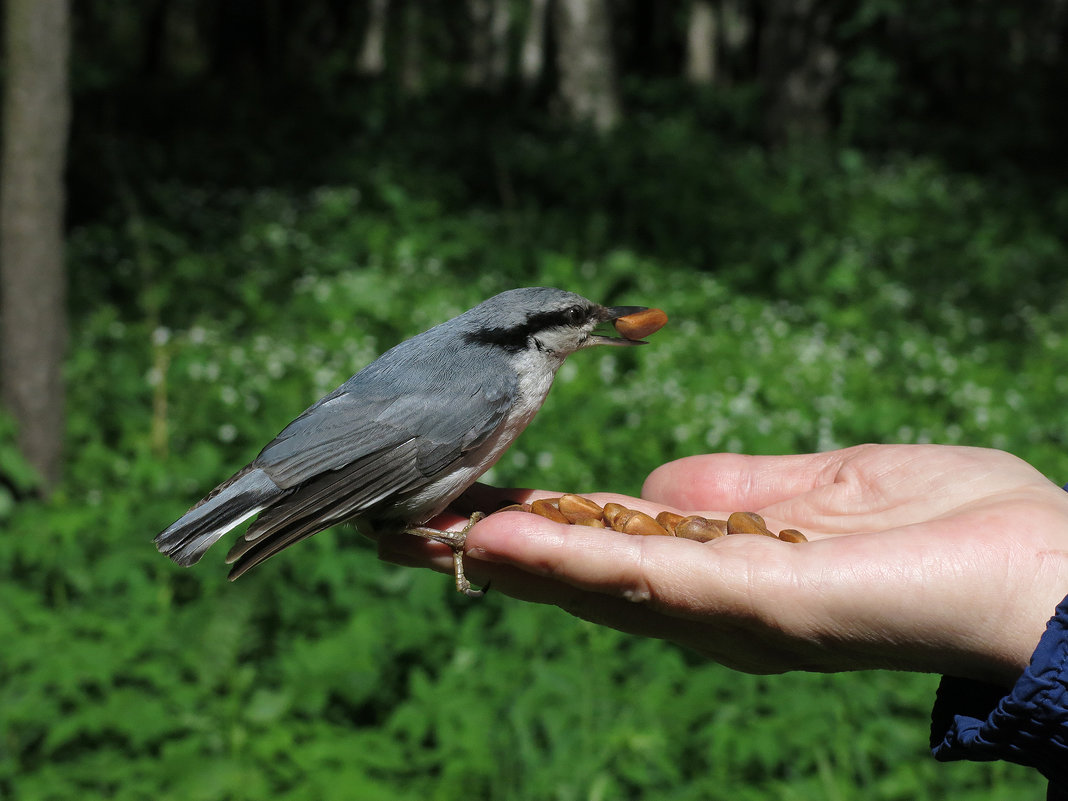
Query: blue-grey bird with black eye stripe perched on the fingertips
[402, 439]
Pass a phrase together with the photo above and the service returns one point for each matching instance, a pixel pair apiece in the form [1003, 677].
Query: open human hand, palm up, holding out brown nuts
[923, 558]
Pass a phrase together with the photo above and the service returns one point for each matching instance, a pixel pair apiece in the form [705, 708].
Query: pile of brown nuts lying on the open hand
[579, 511]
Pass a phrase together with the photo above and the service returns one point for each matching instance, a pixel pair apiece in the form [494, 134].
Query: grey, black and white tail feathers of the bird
[230, 505]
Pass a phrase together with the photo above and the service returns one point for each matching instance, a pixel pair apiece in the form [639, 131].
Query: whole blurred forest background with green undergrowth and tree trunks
[855, 214]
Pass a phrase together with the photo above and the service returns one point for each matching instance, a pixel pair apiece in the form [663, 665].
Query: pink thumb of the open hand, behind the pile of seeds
[740, 482]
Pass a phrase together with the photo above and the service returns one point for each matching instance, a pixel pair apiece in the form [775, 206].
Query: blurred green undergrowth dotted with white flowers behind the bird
[821, 296]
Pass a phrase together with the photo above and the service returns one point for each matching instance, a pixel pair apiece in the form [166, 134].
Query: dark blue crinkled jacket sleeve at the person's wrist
[1028, 726]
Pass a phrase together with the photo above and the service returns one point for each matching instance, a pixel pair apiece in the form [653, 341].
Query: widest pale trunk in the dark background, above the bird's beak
[588, 85]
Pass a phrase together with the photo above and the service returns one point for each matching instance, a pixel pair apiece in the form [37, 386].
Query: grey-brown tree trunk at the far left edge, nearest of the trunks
[37, 115]
